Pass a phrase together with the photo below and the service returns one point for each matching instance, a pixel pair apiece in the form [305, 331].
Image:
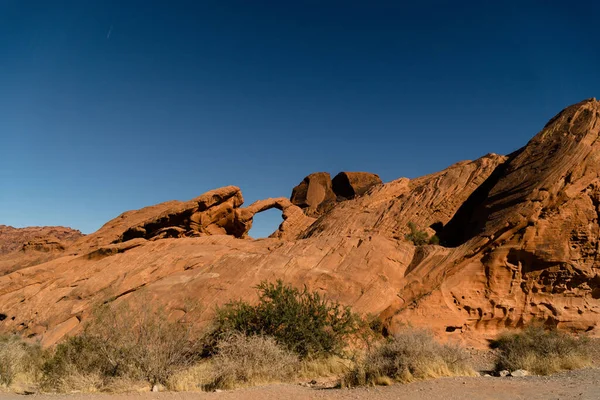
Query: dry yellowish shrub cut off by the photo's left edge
[19, 357]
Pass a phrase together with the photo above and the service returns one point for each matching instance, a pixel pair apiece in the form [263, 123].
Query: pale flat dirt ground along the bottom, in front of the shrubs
[582, 384]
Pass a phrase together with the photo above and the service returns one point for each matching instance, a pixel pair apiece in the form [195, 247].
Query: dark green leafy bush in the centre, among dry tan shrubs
[303, 321]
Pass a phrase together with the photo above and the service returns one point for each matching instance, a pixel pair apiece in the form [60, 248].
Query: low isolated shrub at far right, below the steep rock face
[541, 351]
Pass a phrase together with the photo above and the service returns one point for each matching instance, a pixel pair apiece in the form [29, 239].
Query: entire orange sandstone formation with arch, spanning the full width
[519, 234]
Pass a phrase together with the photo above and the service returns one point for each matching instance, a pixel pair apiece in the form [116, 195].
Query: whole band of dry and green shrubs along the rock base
[288, 334]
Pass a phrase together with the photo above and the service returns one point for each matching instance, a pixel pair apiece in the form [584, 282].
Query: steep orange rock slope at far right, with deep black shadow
[527, 246]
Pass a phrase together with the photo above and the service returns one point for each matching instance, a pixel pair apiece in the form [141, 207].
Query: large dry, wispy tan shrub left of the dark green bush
[121, 344]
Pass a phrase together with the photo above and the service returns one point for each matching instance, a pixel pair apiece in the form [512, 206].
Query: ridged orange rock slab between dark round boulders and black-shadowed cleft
[430, 202]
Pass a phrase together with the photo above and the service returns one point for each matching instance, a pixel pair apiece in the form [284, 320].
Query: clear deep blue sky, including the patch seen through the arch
[107, 106]
